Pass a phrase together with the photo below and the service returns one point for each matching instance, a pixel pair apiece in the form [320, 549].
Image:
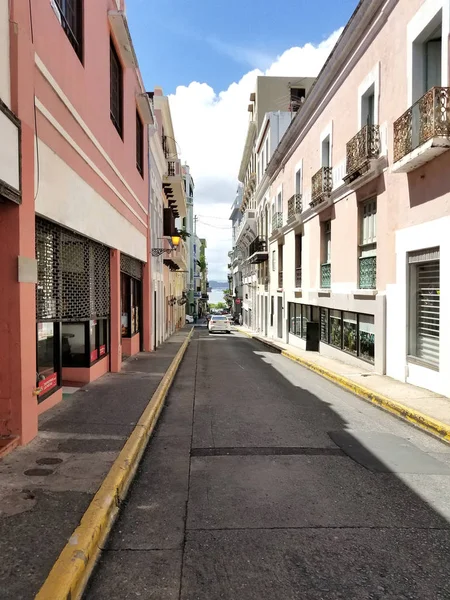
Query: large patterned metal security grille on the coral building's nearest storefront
[73, 275]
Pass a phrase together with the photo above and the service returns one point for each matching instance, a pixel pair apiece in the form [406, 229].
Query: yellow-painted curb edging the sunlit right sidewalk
[429, 424]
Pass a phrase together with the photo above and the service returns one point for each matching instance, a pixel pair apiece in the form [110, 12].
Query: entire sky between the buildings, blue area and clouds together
[206, 54]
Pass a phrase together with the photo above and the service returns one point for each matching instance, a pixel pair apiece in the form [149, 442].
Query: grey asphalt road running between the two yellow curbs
[264, 481]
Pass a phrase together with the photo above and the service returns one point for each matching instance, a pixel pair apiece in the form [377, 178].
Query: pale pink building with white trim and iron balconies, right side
[355, 203]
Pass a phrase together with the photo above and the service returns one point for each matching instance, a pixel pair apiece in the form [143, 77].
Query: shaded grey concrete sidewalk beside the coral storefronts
[46, 487]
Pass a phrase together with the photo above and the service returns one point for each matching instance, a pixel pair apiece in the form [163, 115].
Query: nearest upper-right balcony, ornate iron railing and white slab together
[423, 131]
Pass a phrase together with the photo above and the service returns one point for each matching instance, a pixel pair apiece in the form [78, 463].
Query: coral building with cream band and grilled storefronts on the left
[75, 281]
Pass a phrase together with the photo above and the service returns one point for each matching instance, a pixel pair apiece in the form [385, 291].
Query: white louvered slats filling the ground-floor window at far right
[427, 312]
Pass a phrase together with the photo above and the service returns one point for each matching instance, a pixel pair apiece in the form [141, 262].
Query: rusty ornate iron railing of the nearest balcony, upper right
[427, 118]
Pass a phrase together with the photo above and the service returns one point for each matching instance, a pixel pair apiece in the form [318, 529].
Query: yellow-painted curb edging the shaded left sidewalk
[70, 573]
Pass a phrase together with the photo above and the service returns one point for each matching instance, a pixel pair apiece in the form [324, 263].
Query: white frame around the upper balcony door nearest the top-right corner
[421, 20]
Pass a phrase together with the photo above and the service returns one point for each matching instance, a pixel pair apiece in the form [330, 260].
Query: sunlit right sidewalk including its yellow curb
[421, 407]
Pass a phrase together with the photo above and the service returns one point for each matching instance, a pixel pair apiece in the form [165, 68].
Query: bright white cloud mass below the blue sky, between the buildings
[210, 129]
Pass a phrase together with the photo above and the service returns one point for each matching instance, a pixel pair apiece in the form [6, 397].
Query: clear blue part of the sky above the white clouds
[179, 41]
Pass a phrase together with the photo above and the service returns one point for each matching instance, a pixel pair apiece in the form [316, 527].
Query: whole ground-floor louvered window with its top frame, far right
[424, 313]
